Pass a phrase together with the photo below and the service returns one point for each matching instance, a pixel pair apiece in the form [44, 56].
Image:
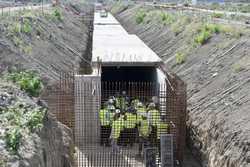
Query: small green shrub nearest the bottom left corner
[13, 139]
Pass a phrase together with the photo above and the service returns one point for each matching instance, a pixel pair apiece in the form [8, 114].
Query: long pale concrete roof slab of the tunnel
[115, 47]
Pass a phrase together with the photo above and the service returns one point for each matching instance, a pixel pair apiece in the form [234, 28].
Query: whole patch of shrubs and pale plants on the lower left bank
[20, 115]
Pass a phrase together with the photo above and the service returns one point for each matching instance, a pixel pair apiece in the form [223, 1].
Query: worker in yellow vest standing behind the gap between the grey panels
[154, 119]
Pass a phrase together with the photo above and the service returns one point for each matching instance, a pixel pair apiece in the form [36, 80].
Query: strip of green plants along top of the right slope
[198, 30]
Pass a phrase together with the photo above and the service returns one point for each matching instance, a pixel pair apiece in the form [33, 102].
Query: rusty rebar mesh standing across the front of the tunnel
[77, 101]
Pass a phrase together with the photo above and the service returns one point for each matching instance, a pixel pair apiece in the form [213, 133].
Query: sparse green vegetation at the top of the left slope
[20, 27]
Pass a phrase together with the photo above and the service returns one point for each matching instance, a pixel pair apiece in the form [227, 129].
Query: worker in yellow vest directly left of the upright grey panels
[144, 131]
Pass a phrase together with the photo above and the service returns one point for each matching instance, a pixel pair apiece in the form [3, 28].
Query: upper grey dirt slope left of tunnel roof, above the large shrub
[53, 42]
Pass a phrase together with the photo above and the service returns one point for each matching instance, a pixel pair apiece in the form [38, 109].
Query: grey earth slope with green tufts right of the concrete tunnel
[214, 61]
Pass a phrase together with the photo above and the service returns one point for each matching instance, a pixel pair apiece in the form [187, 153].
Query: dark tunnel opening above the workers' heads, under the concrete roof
[138, 82]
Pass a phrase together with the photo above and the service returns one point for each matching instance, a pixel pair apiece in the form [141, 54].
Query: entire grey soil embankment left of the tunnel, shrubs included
[49, 42]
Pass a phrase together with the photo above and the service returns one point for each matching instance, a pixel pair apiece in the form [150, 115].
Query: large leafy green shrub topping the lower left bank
[28, 81]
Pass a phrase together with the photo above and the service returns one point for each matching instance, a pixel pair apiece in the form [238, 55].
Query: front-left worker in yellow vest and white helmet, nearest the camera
[117, 127]
